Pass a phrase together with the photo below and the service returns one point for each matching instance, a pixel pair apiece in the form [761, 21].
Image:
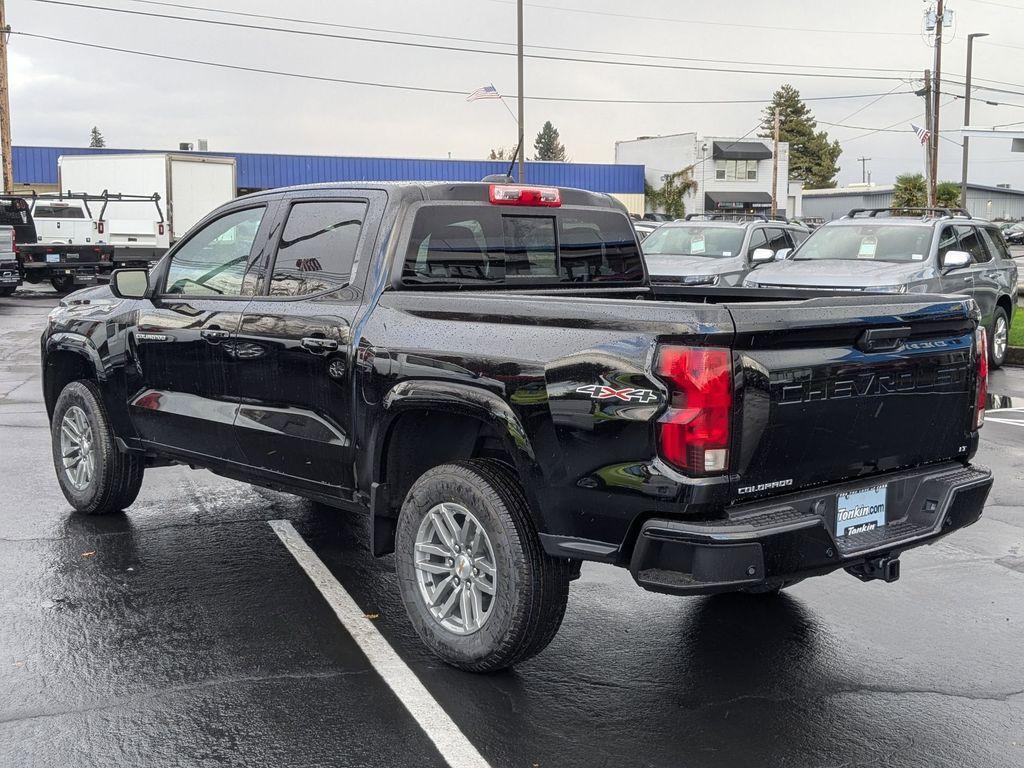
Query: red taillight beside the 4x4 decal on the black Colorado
[695, 432]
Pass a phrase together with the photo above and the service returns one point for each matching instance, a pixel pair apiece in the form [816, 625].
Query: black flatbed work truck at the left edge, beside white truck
[64, 266]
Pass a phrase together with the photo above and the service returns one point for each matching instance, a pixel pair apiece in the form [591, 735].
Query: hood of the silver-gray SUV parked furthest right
[838, 274]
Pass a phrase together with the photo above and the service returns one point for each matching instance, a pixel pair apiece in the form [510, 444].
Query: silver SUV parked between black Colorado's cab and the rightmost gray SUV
[718, 249]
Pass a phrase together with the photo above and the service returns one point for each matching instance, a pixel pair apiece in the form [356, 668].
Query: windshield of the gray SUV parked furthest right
[897, 243]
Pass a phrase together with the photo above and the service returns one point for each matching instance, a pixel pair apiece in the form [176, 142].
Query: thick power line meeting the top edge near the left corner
[460, 50]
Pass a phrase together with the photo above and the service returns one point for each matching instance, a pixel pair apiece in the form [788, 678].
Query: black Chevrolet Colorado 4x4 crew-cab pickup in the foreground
[487, 374]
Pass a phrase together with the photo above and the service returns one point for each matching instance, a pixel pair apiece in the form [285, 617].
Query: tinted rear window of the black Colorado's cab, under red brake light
[460, 244]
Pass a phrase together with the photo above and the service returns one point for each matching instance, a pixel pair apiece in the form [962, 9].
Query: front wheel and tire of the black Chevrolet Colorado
[112, 480]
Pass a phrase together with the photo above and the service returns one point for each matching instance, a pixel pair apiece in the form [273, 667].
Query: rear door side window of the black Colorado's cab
[318, 247]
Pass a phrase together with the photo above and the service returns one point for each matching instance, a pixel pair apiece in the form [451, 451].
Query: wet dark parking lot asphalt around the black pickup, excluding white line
[185, 633]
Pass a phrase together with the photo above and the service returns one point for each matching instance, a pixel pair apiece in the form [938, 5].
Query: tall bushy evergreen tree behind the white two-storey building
[813, 157]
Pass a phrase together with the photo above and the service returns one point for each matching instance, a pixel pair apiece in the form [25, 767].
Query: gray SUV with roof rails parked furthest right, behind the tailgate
[934, 250]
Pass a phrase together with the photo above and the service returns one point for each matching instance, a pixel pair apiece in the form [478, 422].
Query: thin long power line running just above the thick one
[320, 23]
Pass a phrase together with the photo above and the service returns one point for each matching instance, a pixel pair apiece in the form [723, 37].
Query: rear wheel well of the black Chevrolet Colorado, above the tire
[419, 441]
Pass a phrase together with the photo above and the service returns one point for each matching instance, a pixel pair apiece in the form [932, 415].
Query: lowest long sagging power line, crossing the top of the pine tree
[397, 87]
